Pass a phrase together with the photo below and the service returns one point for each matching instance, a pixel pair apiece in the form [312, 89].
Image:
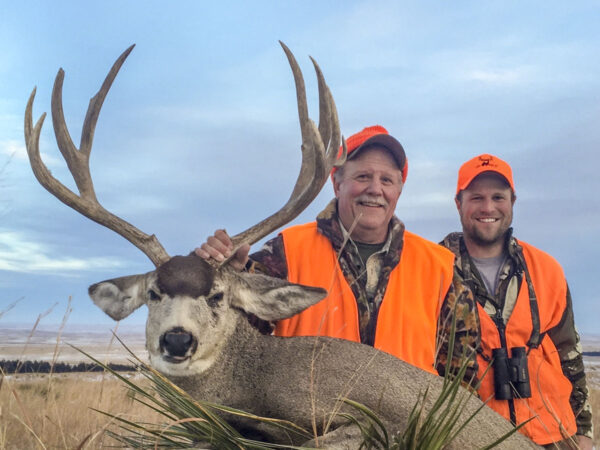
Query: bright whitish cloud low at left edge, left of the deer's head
[18, 254]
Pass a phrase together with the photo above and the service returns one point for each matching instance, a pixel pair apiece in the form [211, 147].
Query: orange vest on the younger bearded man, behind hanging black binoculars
[550, 389]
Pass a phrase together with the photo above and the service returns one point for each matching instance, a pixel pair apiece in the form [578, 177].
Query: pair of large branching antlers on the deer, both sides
[319, 155]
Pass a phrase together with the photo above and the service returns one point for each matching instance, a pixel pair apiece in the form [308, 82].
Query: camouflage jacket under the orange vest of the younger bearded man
[564, 335]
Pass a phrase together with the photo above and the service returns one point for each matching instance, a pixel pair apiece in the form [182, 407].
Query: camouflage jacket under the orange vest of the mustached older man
[368, 281]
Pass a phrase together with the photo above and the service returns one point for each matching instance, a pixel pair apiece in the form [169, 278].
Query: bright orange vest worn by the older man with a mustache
[407, 320]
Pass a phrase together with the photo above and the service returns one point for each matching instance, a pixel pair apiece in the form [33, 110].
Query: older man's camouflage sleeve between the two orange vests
[459, 316]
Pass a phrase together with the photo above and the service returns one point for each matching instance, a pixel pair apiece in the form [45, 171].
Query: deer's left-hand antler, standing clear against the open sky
[78, 164]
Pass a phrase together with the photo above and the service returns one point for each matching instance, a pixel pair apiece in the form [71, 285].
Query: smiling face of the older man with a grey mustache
[367, 191]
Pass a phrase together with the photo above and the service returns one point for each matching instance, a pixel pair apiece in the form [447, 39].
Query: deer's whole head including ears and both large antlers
[193, 305]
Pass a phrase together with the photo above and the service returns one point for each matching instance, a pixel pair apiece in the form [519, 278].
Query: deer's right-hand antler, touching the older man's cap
[320, 148]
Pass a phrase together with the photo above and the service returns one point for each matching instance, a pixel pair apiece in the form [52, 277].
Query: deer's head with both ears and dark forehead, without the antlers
[193, 308]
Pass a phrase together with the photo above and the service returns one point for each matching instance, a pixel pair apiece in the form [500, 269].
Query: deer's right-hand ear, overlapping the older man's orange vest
[271, 298]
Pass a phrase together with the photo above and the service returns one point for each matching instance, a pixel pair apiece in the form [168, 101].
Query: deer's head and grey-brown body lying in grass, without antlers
[215, 355]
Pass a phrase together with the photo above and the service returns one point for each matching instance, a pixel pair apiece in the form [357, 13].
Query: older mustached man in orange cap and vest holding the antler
[388, 288]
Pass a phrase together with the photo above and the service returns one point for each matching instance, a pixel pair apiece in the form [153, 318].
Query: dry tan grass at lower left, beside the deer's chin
[43, 411]
